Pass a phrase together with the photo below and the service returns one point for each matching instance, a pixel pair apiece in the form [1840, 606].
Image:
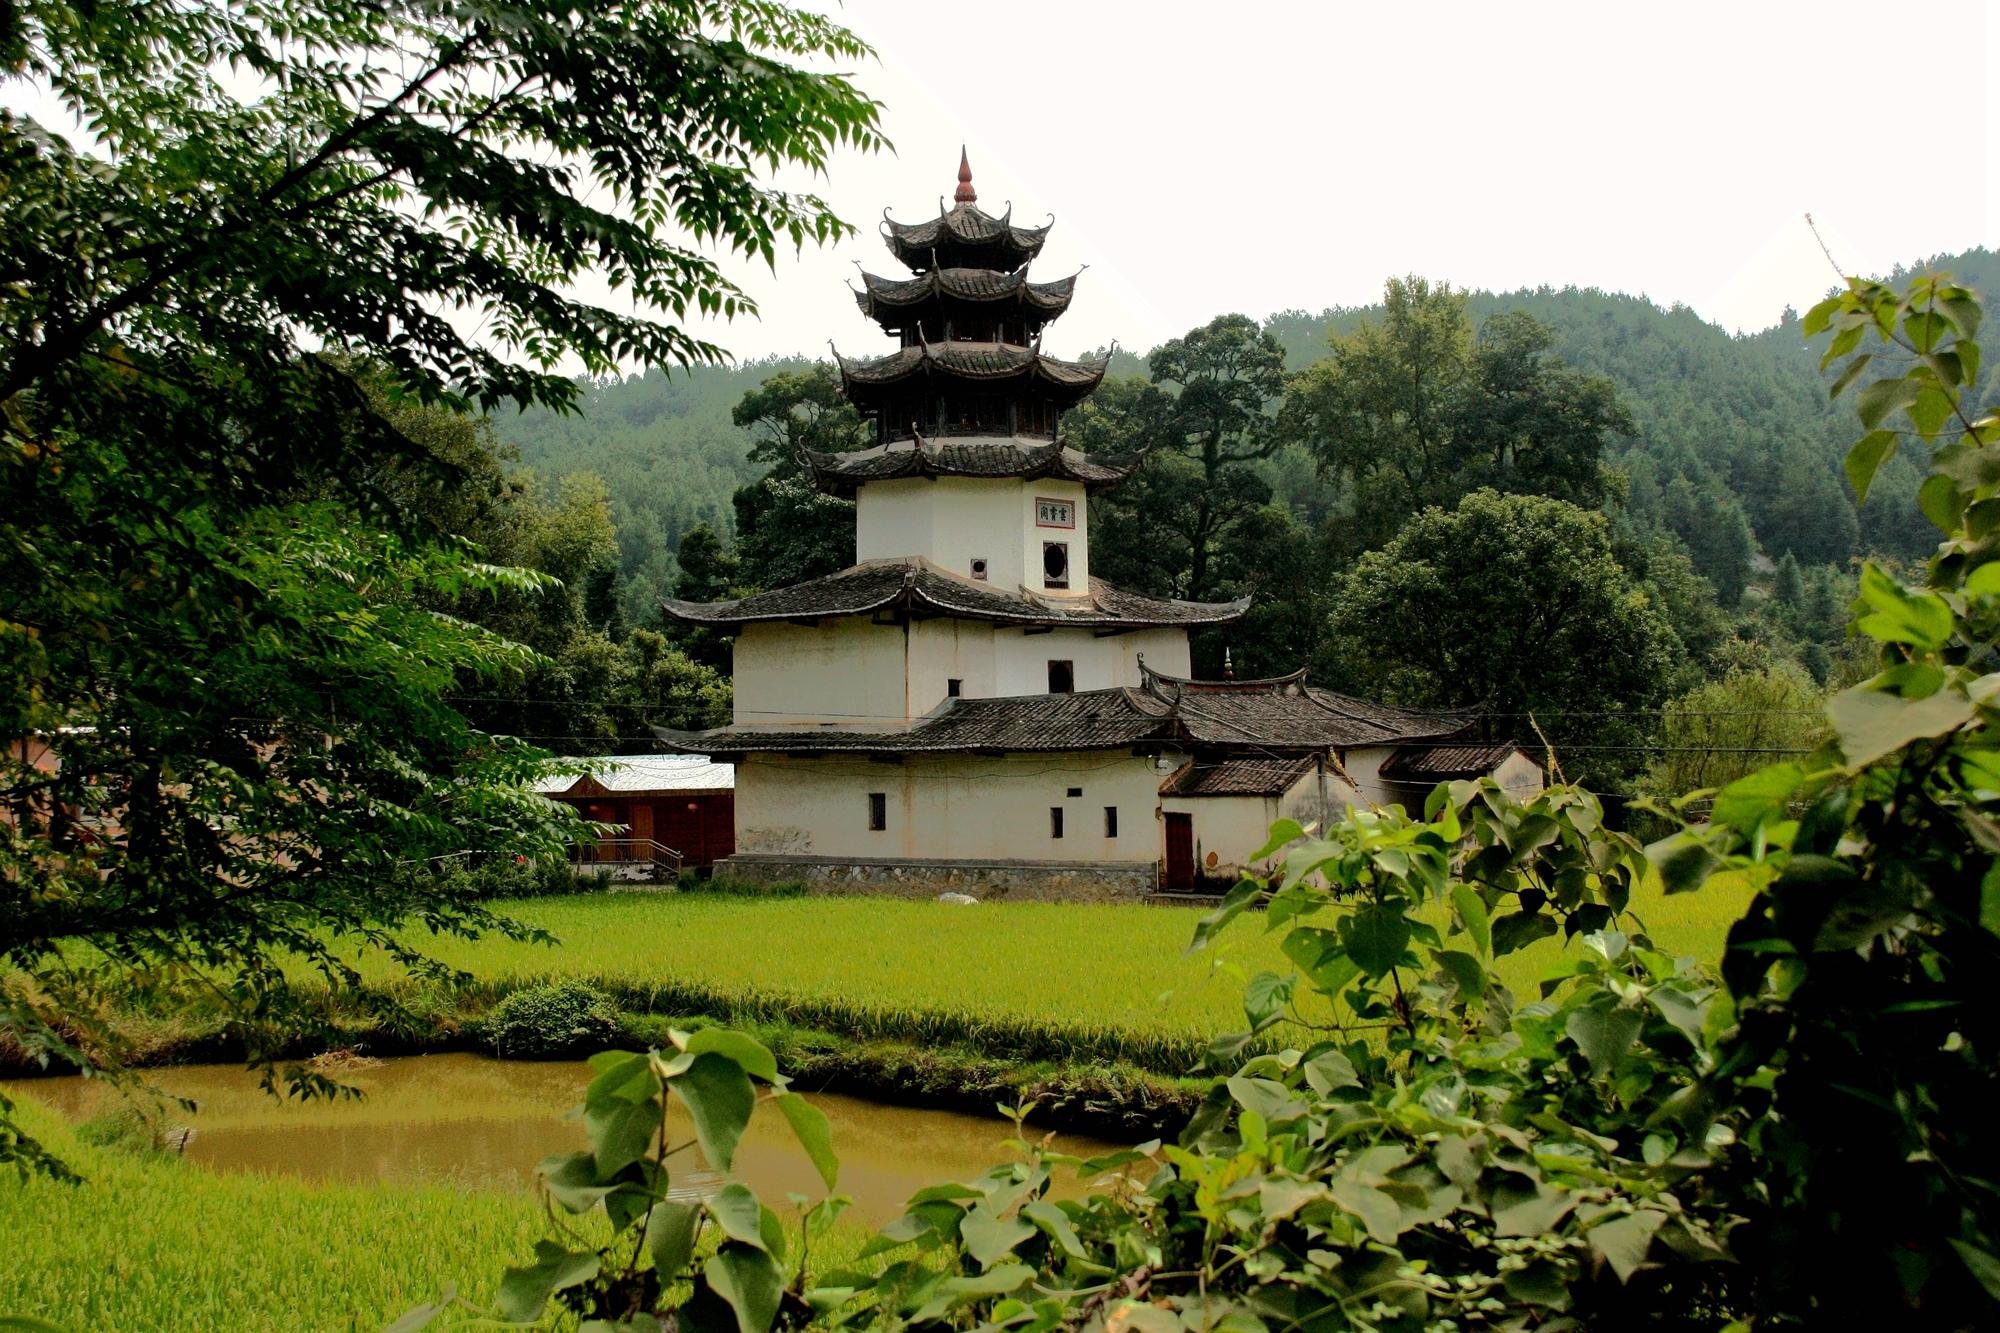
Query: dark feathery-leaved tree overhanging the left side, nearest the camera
[247, 692]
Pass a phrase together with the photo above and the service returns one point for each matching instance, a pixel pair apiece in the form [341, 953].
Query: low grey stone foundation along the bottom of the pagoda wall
[1023, 882]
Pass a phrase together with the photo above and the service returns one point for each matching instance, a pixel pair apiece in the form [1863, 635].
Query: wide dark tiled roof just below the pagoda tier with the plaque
[921, 587]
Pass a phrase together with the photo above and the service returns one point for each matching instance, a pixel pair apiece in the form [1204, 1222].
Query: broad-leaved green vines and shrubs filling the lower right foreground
[1805, 1142]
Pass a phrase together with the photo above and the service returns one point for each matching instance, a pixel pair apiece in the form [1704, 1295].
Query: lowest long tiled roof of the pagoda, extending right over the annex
[1211, 716]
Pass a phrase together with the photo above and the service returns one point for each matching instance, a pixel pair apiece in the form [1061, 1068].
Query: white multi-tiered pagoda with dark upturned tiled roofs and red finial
[969, 708]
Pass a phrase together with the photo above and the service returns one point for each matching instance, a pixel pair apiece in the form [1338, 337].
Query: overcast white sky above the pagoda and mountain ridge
[1263, 157]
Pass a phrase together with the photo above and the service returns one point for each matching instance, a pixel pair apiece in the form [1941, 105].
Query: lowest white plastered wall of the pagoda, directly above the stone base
[951, 808]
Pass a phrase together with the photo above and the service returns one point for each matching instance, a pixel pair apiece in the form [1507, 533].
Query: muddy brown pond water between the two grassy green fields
[477, 1122]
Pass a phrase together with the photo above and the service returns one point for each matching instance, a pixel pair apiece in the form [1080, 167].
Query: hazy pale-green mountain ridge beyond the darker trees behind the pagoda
[1723, 423]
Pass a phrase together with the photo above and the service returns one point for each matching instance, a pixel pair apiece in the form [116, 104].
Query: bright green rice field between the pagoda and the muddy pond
[1027, 980]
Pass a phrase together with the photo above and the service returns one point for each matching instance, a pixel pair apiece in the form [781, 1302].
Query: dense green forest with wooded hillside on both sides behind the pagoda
[1711, 463]
